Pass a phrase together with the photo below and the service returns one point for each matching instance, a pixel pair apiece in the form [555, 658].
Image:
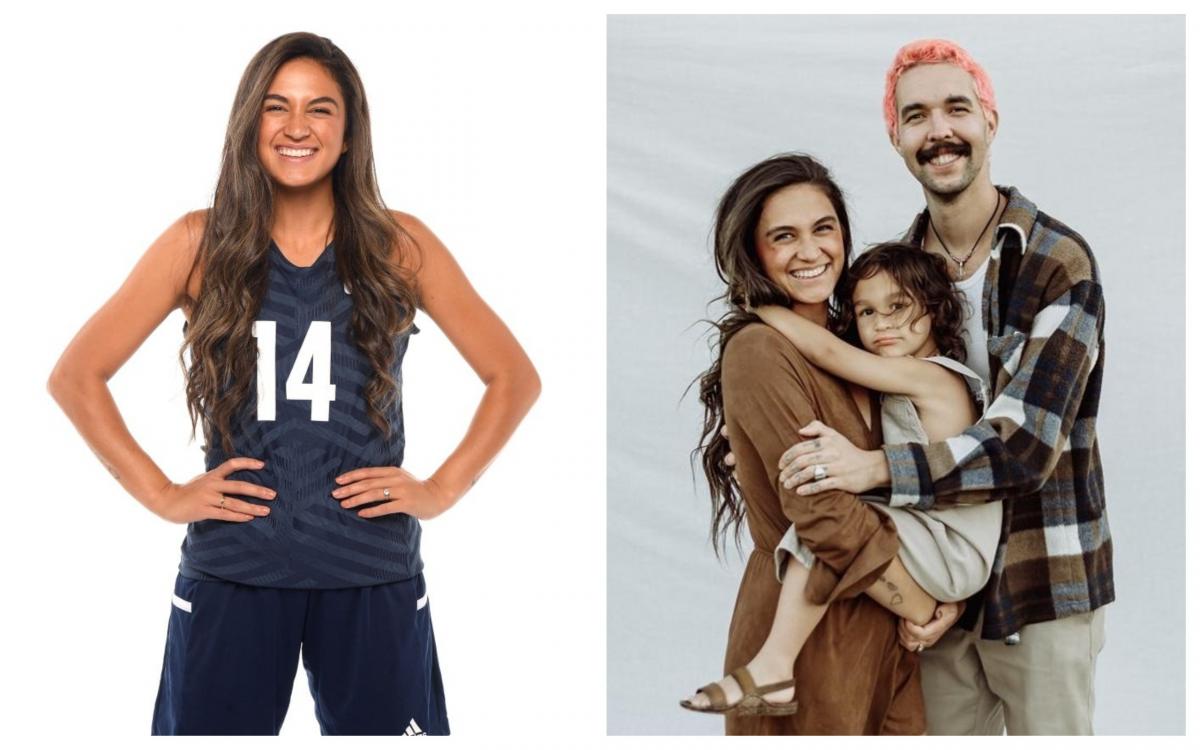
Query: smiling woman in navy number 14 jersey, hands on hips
[299, 289]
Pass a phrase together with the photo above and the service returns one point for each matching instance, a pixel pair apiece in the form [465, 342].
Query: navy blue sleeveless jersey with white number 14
[309, 422]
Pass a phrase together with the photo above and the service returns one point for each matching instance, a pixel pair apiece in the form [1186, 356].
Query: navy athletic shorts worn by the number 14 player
[232, 655]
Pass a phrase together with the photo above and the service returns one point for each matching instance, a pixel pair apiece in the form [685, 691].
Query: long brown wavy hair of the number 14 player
[233, 250]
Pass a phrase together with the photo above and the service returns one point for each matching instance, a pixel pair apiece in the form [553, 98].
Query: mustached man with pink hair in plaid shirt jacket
[1023, 656]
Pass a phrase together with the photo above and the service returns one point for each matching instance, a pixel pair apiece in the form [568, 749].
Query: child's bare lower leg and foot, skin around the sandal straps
[796, 617]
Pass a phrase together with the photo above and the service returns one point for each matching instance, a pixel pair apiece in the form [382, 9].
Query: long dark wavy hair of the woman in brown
[747, 284]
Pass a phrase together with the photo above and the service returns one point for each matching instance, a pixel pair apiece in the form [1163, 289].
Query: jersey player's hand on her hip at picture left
[207, 496]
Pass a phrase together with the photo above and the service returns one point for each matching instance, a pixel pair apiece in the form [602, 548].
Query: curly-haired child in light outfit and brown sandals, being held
[908, 316]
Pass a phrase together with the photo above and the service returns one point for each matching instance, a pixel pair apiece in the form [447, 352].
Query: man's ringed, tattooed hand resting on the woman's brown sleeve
[829, 461]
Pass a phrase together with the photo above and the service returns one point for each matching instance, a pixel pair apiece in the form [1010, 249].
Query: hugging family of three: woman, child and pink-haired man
[909, 436]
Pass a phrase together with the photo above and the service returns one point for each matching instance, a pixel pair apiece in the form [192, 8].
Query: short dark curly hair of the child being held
[923, 278]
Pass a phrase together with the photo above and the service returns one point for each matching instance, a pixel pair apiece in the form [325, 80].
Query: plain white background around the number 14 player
[484, 130]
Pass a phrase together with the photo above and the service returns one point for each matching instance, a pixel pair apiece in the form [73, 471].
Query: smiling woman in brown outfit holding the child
[783, 238]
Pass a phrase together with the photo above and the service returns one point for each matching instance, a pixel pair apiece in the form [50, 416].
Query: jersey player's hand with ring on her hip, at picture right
[400, 491]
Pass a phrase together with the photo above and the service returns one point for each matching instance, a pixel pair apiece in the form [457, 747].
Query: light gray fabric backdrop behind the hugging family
[1091, 129]
